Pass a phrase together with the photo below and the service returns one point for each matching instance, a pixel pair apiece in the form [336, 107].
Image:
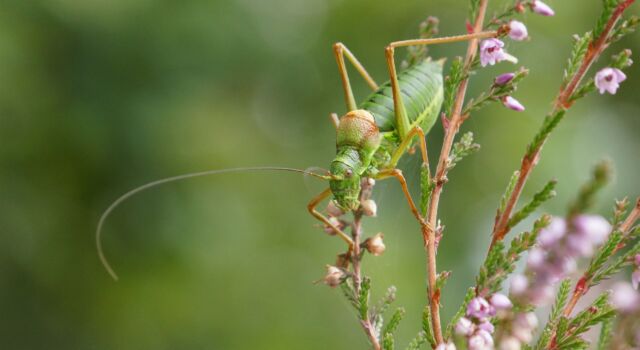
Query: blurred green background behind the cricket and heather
[97, 97]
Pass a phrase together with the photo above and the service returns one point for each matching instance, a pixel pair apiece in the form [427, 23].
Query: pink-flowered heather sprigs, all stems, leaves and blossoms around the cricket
[555, 246]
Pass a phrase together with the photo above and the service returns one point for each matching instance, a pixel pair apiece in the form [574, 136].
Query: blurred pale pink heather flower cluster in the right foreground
[560, 244]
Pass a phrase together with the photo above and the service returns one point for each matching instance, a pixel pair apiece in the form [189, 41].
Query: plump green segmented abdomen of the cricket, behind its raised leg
[422, 94]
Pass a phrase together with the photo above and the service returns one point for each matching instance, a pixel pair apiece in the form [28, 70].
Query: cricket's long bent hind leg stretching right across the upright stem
[402, 121]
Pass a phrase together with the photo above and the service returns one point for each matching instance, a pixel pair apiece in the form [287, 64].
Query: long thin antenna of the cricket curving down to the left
[156, 183]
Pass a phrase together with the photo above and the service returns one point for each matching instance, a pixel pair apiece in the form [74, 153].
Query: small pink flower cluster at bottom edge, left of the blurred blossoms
[476, 326]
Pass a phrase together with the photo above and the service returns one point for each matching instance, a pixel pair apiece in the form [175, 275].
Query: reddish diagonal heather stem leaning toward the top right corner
[562, 103]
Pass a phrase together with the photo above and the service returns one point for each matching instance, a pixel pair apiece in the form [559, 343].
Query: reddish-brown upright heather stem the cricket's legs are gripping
[441, 177]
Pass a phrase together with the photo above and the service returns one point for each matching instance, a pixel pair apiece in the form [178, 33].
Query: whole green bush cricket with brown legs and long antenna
[370, 138]
